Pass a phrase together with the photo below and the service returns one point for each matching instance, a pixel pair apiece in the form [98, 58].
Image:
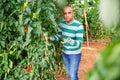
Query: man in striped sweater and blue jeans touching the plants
[71, 31]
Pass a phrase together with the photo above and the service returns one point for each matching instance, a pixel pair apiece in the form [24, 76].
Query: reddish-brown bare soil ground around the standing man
[89, 56]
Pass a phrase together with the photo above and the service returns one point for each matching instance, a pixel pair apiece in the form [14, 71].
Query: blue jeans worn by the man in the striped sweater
[71, 62]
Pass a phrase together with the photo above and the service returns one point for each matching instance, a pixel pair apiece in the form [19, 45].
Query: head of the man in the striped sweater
[68, 14]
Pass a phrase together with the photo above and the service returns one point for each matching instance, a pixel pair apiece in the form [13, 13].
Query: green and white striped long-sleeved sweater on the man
[74, 31]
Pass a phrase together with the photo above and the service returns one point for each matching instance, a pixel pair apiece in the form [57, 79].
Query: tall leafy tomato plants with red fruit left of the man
[24, 48]
